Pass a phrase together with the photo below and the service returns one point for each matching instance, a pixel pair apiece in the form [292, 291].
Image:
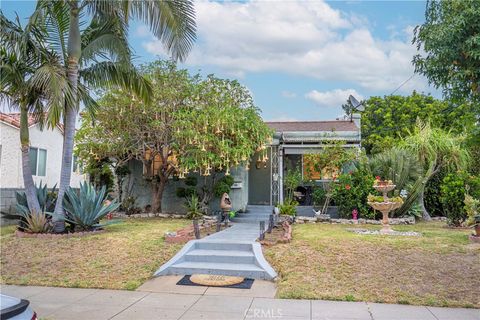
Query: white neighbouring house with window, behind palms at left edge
[45, 157]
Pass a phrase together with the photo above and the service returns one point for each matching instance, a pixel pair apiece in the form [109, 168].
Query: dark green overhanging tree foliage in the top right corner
[449, 37]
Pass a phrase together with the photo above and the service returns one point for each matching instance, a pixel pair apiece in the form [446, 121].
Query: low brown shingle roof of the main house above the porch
[313, 126]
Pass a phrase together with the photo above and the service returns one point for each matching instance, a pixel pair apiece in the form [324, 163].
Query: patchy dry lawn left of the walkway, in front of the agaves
[122, 258]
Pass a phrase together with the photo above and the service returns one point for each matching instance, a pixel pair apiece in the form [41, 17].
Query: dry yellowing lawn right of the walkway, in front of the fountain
[325, 261]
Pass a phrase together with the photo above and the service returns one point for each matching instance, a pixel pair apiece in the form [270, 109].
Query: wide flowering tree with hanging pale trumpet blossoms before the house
[192, 125]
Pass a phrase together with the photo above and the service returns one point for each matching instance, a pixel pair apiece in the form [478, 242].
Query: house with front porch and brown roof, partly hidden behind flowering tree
[263, 182]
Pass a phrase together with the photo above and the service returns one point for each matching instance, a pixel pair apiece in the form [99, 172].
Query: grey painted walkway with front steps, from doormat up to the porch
[231, 252]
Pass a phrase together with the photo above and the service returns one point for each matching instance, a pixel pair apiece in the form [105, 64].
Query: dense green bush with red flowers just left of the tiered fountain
[351, 190]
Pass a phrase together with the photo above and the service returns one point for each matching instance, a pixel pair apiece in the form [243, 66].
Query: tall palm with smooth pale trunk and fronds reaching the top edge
[87, 55]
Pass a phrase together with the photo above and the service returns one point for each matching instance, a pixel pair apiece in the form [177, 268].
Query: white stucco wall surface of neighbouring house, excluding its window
[11, 161]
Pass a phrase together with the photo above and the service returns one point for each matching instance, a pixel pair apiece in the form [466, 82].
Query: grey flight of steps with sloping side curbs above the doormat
[243, 259]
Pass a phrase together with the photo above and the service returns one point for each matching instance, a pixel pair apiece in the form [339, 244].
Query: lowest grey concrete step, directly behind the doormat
[228, 269]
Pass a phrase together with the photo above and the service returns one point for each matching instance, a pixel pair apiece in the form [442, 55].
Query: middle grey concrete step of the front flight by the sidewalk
[221, 256]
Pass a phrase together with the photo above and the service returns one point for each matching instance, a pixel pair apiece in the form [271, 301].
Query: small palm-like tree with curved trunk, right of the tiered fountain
[435, 149]
